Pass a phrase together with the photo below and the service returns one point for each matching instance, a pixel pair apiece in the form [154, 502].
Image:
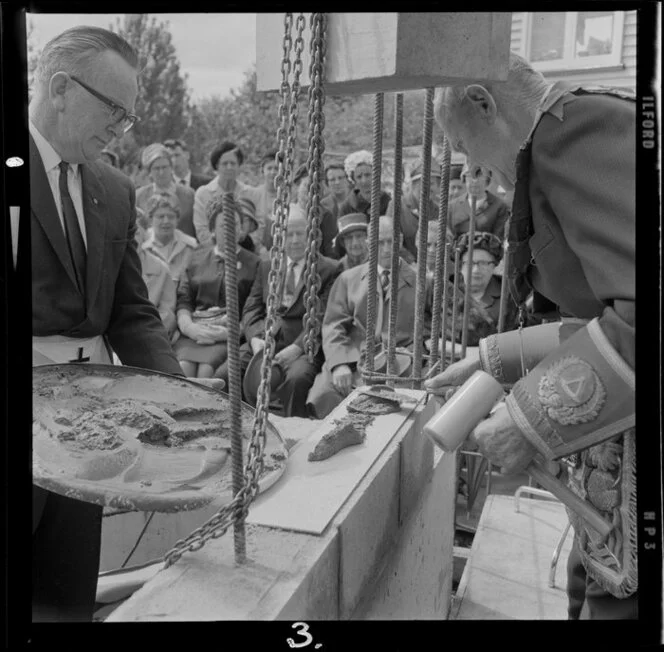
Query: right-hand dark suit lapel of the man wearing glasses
[96, 213]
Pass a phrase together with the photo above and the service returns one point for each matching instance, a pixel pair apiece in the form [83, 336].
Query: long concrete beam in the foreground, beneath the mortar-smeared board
[363, 557]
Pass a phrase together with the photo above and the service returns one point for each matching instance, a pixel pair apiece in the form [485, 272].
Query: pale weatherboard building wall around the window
[622, 75]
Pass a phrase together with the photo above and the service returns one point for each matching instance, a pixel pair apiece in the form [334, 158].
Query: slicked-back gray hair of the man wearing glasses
[76, 49]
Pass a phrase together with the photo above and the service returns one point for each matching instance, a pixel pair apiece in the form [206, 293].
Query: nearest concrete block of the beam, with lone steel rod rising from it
[208, 585]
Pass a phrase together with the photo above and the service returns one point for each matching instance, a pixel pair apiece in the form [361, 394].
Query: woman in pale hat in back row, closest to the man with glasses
[156, 160]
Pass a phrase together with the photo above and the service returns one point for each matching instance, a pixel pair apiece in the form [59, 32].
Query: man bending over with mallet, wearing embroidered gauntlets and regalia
[569, 154]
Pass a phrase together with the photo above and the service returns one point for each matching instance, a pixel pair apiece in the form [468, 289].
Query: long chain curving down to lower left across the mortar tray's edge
[238, 508]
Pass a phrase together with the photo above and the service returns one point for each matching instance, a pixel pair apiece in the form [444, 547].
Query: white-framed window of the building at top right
[574, 39]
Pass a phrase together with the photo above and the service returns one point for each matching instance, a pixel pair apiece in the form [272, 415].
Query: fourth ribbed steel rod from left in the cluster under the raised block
[440, 269]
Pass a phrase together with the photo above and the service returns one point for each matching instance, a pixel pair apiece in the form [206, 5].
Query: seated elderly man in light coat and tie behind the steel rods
[344, 324]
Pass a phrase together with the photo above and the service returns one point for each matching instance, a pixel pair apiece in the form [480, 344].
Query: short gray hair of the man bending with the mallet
[524, 88]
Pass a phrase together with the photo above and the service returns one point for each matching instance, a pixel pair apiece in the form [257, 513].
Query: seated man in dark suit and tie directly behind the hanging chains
[300, 373]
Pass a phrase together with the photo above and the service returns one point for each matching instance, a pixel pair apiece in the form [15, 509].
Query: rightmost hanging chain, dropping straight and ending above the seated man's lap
[313, 311]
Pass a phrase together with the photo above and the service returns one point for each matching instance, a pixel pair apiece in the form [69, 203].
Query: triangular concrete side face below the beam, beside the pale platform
[415, 581]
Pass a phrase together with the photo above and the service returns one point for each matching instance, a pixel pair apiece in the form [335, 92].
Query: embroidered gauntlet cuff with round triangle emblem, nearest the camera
[578, 396]
